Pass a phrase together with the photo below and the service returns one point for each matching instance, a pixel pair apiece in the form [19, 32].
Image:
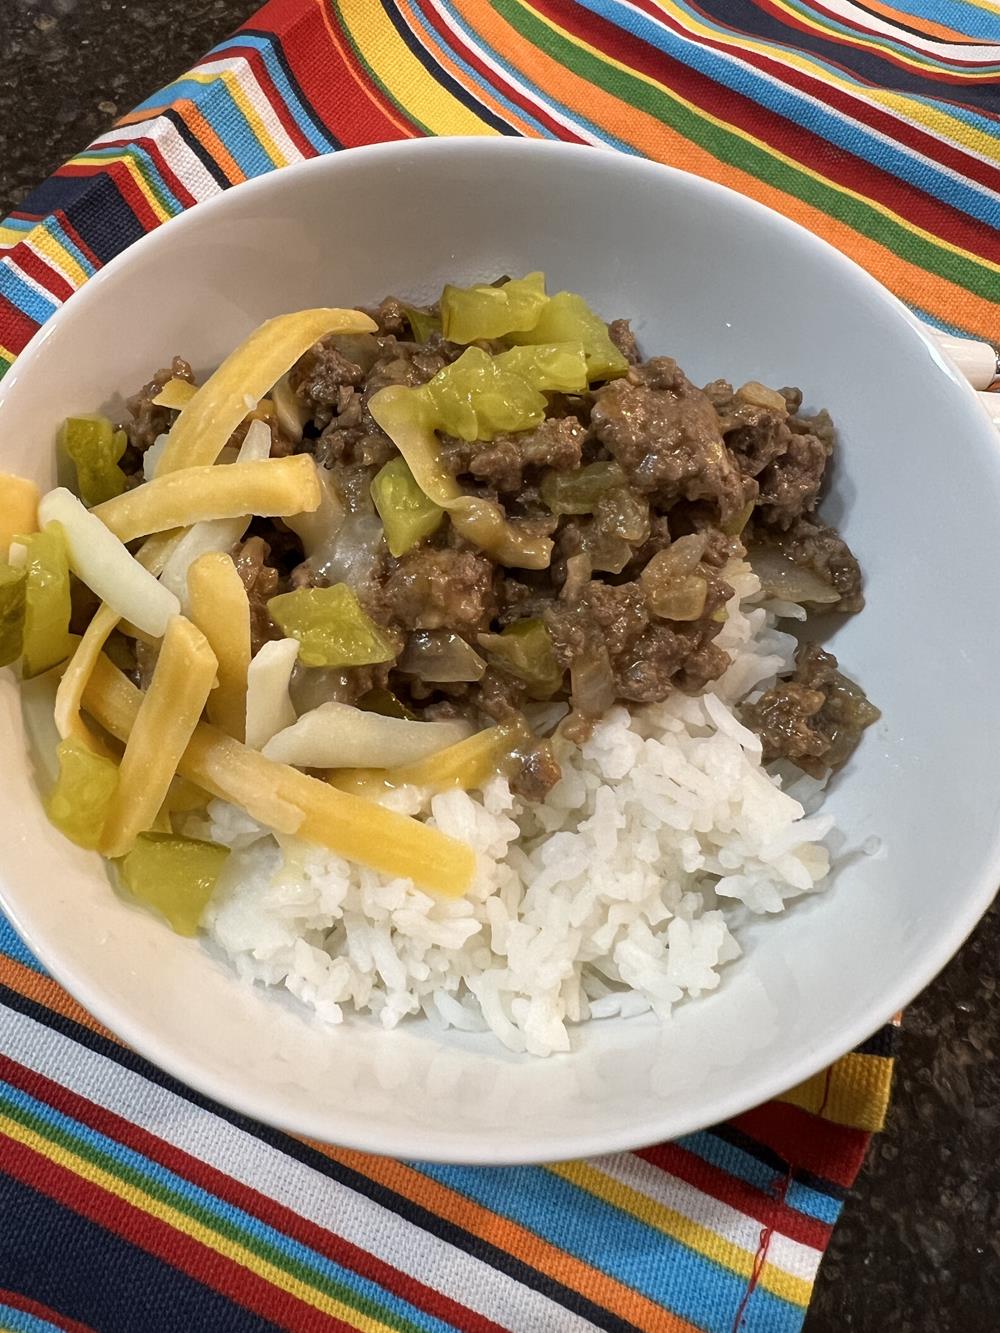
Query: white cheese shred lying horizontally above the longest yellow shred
[341, 736]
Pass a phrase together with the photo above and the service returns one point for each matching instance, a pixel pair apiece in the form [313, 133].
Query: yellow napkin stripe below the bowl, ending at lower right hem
[681, 1228]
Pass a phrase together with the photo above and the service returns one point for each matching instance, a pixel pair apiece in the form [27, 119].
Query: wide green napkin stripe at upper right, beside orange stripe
[729, 147]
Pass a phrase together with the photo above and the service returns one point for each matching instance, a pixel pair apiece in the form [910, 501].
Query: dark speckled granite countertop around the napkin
[918, 1248]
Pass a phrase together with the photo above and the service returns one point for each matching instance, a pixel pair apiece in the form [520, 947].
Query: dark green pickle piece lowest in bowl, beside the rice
[177, 876]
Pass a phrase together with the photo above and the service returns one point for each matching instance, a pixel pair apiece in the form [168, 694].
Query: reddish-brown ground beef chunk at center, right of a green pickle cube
[441, 589]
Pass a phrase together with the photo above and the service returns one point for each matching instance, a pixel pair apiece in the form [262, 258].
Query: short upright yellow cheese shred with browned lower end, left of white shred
[221, 609]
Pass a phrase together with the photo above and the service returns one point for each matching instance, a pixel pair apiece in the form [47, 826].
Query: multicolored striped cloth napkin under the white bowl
[138, 1203]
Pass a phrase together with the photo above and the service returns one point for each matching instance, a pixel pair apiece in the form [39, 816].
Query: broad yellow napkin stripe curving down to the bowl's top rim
[403, 75]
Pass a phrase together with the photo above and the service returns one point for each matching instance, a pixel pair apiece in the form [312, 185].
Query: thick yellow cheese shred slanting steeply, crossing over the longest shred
[165, 723]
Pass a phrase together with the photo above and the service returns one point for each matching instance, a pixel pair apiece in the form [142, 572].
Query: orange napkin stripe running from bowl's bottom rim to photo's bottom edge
[515, 1240]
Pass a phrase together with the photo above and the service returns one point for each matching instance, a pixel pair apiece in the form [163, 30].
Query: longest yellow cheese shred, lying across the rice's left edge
[350, 826]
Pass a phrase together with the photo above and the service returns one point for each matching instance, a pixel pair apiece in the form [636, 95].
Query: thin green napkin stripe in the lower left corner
[197, 1212]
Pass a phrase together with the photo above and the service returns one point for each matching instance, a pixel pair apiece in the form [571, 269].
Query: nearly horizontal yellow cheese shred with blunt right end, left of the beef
[267, 487]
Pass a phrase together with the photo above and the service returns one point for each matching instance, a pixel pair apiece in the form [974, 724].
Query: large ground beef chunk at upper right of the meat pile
[666, 435]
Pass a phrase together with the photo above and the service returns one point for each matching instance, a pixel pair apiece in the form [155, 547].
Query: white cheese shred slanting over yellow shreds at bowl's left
[102, 562]
